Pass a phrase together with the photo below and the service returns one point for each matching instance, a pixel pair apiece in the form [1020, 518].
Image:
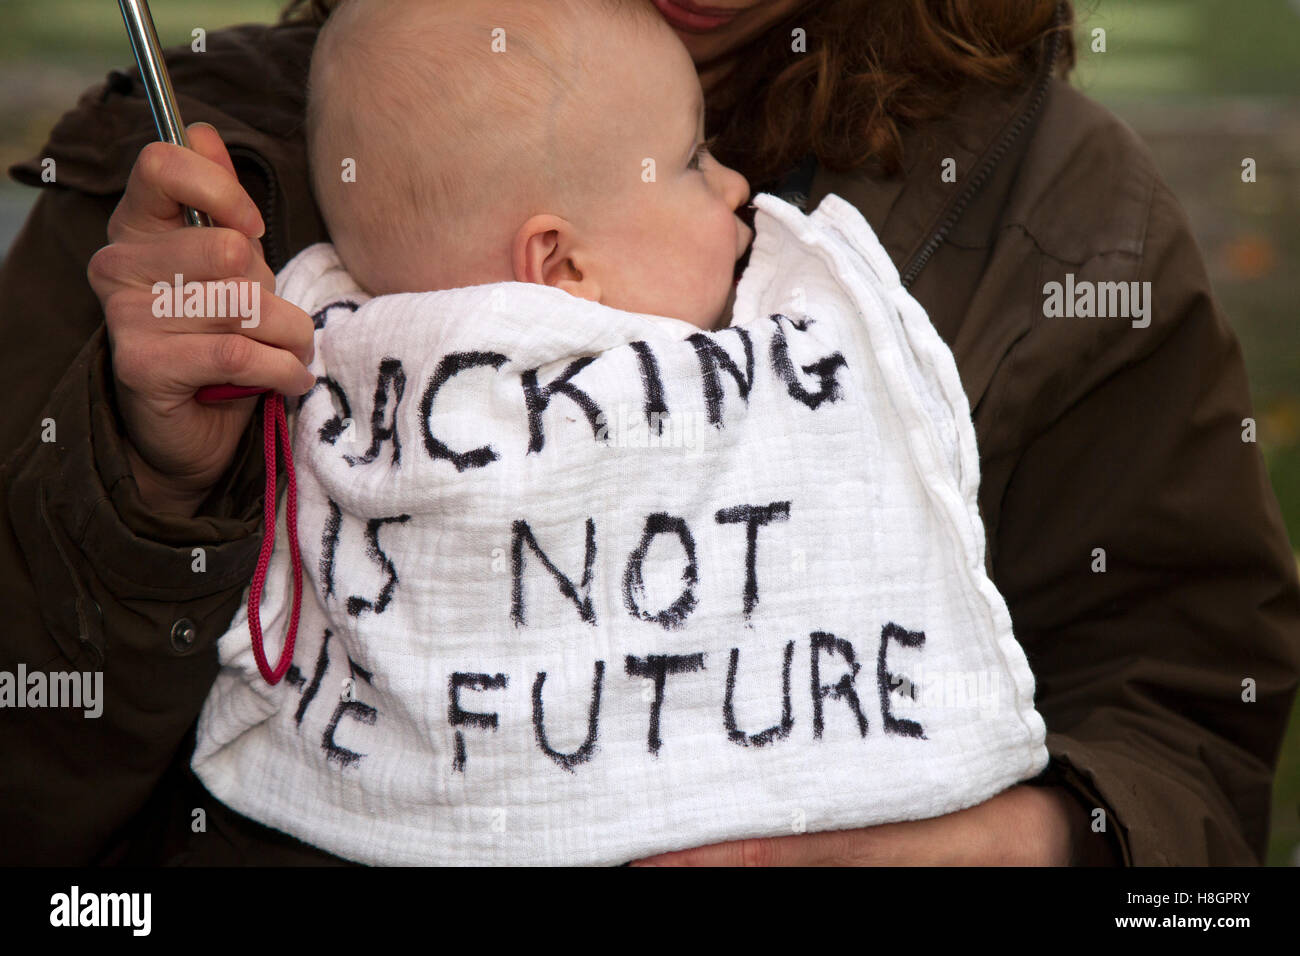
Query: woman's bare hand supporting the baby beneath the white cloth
[1022, 827]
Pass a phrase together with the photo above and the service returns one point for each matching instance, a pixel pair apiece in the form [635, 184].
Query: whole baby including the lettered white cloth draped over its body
[541, 625]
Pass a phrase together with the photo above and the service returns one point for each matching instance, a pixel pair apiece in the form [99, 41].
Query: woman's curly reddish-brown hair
[872, 68]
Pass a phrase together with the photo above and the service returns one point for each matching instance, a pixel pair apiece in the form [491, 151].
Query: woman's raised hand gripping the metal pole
[180, 448]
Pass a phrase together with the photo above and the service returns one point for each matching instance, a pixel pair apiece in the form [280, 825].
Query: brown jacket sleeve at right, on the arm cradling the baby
[1165, 681]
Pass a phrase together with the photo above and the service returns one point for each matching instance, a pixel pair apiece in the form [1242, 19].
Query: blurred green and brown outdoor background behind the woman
[1204, 83]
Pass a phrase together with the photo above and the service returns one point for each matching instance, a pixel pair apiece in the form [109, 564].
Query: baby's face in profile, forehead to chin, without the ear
[661, 228]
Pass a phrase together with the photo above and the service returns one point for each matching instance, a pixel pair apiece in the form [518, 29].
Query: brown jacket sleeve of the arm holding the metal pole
[96, 579]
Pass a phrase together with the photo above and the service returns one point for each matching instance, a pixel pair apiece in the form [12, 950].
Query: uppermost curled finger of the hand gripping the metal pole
[170, 178]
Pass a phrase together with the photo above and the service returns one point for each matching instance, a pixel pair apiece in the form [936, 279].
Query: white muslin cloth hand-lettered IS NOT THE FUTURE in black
[716, 673]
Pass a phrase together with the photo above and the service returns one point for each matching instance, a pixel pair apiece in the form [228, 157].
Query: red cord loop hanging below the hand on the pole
[274, 422]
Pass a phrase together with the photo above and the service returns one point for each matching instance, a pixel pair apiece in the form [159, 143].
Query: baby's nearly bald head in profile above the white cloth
[557, 142]
